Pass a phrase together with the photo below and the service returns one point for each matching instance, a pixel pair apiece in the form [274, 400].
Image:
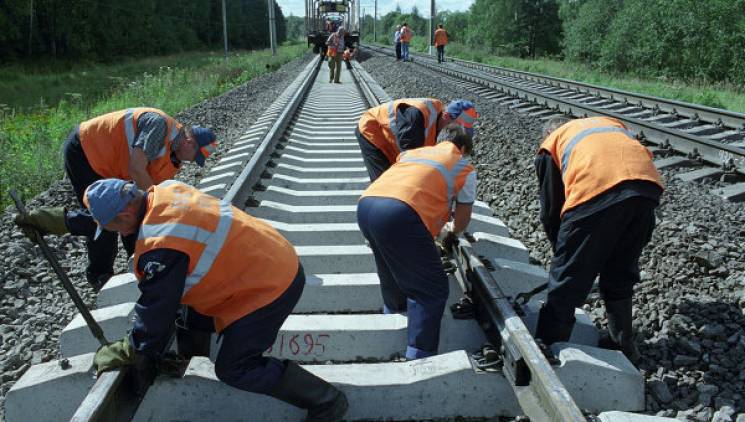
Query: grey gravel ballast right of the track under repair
[689, 306]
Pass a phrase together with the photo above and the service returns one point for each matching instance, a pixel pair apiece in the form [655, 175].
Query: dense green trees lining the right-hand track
[680, 39]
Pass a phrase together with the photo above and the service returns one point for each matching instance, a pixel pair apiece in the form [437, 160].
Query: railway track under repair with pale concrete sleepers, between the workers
[300, 169]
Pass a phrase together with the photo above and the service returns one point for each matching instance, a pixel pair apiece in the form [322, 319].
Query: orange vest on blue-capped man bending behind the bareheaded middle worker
[378, 124]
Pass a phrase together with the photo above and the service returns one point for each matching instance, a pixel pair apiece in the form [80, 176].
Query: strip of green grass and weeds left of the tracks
[31, 138]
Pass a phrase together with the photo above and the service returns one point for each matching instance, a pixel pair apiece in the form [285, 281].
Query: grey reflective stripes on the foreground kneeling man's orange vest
[212, 241]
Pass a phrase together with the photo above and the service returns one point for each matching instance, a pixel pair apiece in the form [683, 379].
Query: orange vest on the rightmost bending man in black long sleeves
[596, 154]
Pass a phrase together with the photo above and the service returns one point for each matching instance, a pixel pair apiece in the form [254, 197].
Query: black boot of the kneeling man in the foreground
[324, 402]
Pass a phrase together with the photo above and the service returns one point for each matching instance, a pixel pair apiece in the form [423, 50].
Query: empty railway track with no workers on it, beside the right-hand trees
[682, 134]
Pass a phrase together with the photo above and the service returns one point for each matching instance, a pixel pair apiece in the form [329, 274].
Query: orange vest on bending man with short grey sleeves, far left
[107, 143]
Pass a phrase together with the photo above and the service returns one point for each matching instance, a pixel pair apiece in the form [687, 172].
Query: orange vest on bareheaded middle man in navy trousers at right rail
[428, 180]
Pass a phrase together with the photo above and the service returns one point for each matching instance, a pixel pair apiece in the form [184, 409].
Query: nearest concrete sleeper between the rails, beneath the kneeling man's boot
[443, 386]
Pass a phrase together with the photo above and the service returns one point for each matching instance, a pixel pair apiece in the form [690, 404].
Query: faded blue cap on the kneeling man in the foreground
[105, 199]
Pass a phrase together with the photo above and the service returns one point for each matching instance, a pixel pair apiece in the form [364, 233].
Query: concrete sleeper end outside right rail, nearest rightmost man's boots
[599, 379]
